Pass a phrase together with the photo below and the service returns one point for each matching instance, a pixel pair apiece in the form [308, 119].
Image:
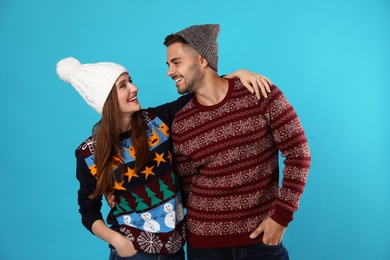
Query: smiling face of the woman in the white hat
[127, 95]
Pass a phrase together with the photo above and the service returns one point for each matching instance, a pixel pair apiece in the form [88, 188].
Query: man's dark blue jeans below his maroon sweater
[259, 251]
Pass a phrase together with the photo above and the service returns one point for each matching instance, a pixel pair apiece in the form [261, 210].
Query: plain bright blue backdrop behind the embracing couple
[331, 58]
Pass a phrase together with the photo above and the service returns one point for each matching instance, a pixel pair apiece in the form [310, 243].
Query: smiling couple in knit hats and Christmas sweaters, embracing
[219, 139]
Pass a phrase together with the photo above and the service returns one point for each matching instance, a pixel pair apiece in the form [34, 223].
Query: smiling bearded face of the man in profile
[183, 67]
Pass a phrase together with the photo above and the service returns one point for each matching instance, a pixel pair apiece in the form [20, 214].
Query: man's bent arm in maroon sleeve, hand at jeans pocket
[290, 139]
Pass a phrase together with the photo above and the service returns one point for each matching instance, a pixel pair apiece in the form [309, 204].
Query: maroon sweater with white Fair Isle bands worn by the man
[227, 160]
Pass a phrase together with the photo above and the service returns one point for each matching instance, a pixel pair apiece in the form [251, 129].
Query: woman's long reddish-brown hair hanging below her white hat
[108, 151]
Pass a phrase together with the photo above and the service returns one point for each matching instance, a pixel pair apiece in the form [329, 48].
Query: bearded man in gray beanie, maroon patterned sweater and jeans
[226, 145]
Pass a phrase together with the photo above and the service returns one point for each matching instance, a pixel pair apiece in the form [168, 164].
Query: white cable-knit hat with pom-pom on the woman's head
[93, 81]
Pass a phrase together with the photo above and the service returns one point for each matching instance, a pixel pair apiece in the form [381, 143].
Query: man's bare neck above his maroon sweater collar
[211, 90]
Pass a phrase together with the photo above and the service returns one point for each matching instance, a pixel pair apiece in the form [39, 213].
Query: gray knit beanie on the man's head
[203, 38]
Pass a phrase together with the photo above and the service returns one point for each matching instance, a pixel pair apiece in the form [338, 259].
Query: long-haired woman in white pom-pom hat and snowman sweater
[129, 155]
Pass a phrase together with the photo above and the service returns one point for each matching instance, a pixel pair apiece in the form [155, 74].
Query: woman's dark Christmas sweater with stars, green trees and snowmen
[148, 207]
